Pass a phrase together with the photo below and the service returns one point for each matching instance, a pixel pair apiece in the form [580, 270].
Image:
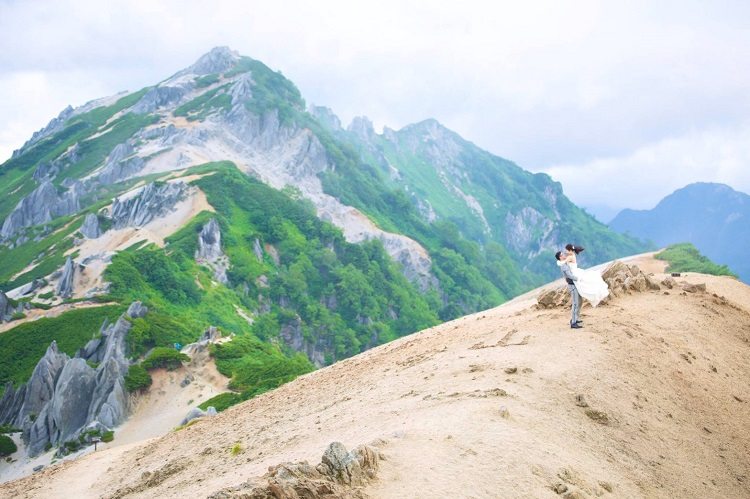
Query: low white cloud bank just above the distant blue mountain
[639, 180]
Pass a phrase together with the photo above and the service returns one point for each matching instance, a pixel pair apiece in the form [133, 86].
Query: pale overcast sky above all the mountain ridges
[622, 102]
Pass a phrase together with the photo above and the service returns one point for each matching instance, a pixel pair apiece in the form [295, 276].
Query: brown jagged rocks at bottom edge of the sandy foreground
[340, 474]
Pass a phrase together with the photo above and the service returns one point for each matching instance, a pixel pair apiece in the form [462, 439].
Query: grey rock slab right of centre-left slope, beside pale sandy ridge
[152, 201]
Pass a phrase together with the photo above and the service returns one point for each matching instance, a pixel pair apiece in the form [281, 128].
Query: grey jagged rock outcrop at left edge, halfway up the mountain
[41, 206]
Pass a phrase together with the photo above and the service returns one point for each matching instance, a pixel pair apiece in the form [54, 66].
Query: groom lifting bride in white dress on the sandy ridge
[581, 283]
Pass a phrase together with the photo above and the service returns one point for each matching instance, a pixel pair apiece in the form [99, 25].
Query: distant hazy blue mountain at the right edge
[713, 217]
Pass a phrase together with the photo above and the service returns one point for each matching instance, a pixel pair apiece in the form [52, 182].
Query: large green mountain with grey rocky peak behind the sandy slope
[332, 241]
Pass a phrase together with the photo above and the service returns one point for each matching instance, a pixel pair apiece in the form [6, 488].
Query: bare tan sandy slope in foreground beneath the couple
[485, 406]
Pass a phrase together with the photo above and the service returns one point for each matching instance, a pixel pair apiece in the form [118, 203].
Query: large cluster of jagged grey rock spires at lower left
[65, 396]
